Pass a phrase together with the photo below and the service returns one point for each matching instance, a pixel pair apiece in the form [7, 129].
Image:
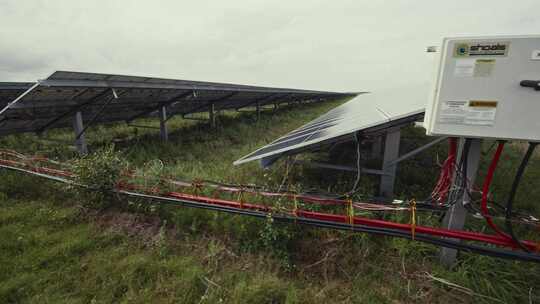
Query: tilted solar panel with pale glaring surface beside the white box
[365, 112]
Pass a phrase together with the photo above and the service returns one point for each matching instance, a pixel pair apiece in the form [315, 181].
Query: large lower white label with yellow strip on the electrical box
[473, 112]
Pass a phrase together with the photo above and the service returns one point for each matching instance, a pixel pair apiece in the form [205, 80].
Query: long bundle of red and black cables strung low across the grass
[425, 234]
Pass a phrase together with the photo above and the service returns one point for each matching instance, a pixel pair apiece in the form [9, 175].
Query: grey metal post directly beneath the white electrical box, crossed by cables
[456, 215]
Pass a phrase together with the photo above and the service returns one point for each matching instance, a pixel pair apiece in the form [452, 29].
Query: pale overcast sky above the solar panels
[349, 45]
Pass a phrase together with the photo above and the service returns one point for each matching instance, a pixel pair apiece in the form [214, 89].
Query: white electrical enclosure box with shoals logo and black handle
[487, 87]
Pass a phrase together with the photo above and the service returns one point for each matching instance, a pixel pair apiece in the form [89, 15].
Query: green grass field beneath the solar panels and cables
[55, 251]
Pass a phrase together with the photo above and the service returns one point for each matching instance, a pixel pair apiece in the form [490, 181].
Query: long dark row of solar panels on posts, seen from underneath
[104, 98]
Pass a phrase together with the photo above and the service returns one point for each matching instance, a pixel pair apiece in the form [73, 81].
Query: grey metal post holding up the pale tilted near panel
[391, 152]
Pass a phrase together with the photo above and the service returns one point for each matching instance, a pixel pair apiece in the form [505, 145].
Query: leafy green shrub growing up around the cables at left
[100, 171]
